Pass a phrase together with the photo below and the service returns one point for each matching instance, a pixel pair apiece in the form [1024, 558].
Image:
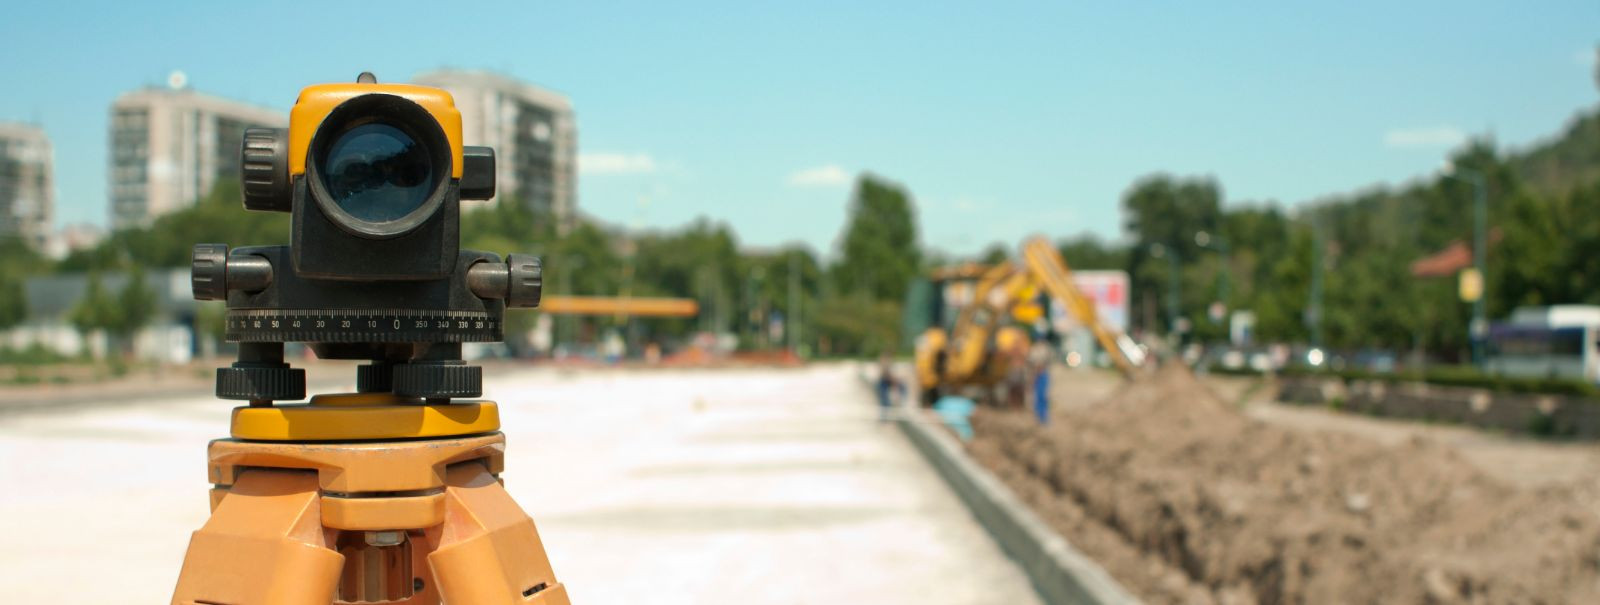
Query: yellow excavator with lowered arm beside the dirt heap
[986, 343]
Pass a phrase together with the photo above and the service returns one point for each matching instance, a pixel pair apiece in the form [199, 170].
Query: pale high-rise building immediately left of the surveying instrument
[169, 148]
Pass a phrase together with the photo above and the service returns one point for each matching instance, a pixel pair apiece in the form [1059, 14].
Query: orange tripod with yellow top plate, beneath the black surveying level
[364, 499]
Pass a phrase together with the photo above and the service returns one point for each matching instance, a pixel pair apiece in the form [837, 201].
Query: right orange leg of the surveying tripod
[489, 553]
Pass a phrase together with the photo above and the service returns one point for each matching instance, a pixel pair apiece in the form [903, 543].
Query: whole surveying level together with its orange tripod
[393, 494]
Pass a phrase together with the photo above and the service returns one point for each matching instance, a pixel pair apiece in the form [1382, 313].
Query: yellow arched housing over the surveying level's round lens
[318, 102]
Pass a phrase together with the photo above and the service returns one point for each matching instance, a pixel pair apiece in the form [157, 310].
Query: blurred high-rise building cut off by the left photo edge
[28, 196]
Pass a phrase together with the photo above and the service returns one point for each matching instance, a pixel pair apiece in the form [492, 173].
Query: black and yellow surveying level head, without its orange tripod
[374, 270]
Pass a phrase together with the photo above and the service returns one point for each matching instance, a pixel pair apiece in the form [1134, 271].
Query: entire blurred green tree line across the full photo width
[1334, 271]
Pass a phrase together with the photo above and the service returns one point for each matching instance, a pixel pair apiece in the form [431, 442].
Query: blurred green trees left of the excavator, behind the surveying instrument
[849, 307]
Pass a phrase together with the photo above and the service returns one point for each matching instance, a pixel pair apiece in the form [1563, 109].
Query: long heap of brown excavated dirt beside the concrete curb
[1186, 500]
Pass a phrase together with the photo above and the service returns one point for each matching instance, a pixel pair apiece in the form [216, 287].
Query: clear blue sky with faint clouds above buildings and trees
[1002, 119]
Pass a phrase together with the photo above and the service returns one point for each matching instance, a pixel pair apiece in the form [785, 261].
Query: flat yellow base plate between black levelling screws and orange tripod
[364, 417]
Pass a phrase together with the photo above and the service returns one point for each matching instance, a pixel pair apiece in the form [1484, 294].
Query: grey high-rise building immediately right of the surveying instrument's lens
[534, 134]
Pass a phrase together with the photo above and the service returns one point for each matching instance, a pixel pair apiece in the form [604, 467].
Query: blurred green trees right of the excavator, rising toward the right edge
[1543, 247]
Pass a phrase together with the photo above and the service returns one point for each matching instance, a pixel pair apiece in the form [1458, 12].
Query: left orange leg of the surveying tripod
[263, 547]
